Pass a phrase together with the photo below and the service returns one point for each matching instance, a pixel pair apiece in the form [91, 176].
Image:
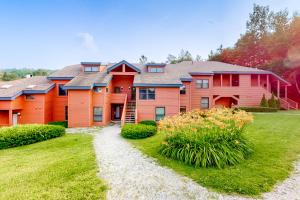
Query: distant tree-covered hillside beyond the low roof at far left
[13, 74]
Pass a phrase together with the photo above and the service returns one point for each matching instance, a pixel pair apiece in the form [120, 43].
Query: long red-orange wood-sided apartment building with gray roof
[94, 94]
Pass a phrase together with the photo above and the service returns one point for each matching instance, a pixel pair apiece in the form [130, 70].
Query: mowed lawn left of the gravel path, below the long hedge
[61, 168]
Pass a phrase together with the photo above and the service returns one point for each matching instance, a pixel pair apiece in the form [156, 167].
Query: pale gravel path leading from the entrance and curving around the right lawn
[132, 175]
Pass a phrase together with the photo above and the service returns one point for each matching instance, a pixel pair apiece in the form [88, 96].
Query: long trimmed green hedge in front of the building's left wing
[28, 134]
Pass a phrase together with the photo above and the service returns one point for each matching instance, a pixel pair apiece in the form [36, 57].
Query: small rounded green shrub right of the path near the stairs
[137, 131]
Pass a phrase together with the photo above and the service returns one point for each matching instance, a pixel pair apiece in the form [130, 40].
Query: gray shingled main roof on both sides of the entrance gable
[173, 73]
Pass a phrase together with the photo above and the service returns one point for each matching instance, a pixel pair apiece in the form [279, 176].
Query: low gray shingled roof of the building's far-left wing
[41, 85]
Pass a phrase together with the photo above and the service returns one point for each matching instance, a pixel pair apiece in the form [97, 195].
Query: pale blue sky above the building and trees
[56, 33]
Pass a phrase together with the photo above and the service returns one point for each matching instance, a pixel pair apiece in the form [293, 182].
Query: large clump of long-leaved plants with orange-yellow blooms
[210, 138]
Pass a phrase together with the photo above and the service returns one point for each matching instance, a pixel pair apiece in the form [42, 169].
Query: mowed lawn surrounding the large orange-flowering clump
[276, 139]
